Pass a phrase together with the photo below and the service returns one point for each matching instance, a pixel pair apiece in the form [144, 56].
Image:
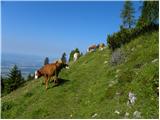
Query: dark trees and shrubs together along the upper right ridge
[131, 28]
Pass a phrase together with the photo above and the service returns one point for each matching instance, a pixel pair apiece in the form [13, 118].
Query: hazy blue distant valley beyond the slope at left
[26, 63]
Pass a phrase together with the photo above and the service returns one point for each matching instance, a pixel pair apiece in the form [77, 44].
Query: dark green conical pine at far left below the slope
[14, 79]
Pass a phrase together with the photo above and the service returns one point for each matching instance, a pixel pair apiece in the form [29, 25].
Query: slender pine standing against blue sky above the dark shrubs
[127, 14]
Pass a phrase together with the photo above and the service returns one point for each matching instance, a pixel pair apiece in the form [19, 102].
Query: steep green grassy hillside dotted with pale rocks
[90, 87]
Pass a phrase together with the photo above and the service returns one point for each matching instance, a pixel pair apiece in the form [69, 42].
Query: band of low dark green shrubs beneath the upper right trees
[125, 35]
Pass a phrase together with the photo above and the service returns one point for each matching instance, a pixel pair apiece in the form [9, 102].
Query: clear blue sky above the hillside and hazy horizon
[51, 28]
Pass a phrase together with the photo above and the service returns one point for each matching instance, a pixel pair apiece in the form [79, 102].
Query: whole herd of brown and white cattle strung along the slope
[53, 69]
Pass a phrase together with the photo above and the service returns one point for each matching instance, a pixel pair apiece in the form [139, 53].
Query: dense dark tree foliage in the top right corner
[149, 13]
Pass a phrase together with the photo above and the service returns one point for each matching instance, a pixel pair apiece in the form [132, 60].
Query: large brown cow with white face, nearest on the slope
[50, 70]
